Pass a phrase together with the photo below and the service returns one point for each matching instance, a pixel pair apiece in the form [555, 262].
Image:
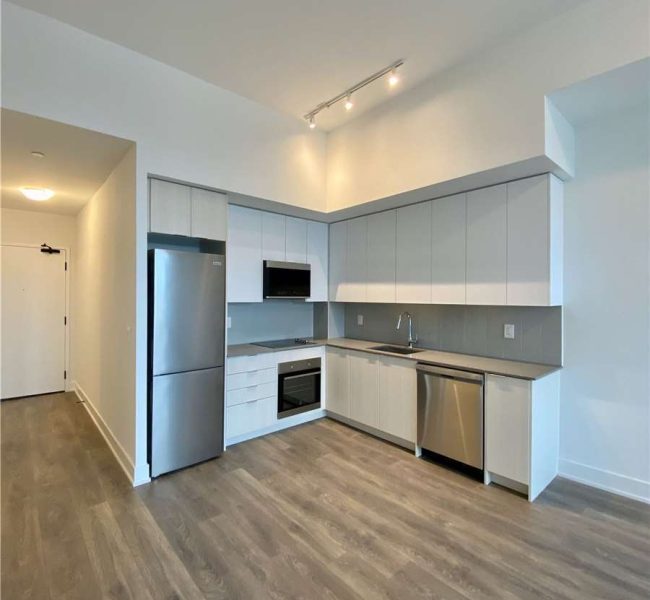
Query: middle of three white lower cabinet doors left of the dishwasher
[364, 389]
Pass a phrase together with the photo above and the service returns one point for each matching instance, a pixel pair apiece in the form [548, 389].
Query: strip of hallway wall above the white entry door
[35, 228]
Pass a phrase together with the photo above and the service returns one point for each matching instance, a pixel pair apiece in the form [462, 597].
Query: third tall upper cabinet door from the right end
[448, 263]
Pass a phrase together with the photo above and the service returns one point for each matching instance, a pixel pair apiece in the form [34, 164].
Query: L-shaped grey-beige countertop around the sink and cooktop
[479, 364]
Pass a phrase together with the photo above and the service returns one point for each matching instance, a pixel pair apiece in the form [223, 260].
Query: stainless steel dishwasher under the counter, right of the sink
[450, 413]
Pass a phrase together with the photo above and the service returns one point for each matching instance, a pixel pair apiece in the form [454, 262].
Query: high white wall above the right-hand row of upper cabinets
[483, 114]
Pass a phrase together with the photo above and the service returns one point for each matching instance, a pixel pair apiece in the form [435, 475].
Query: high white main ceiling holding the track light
[292, 55]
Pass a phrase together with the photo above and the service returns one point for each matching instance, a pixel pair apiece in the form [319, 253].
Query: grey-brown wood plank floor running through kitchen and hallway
[319, 511]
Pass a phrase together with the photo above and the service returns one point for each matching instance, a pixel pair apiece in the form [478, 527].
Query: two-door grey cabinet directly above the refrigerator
[183, 210]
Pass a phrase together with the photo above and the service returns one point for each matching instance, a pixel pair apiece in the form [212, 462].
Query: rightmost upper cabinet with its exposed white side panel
[535, 241]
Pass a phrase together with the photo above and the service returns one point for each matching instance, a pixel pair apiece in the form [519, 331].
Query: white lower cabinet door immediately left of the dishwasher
[398, 398]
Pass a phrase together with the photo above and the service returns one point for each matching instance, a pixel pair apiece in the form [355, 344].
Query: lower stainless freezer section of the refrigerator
[186, 419]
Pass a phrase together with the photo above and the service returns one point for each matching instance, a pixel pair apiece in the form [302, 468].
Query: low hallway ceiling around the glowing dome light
[77, 162]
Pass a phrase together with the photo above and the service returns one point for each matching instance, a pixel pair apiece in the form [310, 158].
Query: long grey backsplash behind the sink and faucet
[466, 329]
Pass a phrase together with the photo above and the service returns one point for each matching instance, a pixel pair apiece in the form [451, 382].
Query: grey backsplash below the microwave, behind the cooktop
[270, 320]
